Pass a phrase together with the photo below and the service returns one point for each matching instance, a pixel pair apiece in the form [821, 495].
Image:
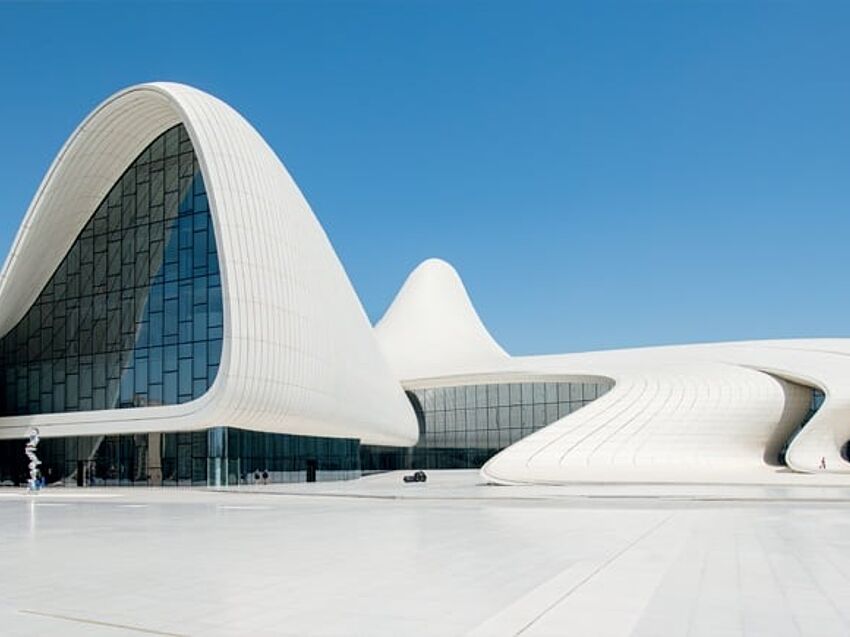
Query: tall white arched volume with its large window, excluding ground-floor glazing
[170, 276]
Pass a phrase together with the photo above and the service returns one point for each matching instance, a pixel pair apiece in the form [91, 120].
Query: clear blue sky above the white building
[602, 174]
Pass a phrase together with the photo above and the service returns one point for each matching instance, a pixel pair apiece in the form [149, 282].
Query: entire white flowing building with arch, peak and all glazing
[171, 312]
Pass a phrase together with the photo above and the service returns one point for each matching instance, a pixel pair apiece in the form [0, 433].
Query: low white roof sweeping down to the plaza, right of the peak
[692, 411]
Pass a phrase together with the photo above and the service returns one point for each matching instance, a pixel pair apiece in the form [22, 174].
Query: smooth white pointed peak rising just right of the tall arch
[432, 329]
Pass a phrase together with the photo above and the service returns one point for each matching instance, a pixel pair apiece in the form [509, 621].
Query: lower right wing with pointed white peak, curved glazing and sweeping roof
[697, 412]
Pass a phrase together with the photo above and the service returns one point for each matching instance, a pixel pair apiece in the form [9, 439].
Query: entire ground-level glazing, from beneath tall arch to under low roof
[460, 427]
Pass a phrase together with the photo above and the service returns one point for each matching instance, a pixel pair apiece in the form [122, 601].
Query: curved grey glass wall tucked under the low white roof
[461, 427]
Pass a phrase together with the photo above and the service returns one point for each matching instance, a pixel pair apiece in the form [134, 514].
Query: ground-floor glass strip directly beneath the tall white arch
[217, 456]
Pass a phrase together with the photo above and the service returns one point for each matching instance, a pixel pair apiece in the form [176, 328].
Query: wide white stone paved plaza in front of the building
[450, 557]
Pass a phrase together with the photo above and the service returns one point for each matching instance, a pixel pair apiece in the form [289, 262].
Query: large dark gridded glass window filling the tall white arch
[133, 314]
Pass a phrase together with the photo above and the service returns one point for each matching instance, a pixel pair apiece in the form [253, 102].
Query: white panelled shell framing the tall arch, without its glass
[298, 354]
